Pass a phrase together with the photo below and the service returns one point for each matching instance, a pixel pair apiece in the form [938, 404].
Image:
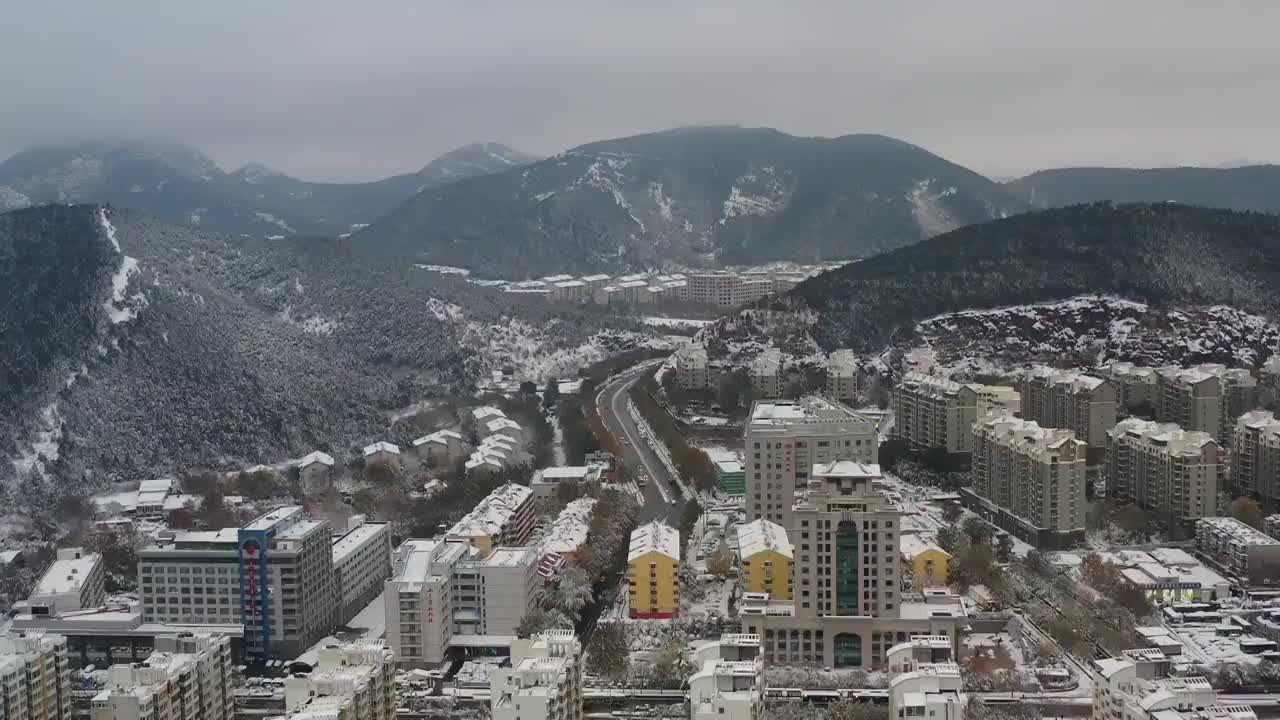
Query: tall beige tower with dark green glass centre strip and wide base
[848, 608]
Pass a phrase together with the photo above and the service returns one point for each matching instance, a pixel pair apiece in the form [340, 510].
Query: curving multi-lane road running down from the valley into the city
[637, 455]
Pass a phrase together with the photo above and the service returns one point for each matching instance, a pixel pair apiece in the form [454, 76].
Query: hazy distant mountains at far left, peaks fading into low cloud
[181, 185]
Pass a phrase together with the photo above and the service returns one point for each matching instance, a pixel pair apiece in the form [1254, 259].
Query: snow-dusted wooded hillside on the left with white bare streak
[135, 349]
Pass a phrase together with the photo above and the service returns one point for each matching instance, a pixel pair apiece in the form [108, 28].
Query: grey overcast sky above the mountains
[342, 90]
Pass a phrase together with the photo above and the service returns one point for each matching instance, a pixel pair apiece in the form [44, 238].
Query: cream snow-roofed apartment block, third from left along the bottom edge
[349, 682]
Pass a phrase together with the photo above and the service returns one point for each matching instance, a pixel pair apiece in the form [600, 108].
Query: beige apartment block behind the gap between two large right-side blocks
[1073, 402]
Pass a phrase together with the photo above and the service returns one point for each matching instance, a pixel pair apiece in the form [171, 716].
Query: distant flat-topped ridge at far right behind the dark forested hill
[1249, 188]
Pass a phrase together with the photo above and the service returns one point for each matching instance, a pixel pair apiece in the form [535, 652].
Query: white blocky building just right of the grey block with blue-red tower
[447, 594]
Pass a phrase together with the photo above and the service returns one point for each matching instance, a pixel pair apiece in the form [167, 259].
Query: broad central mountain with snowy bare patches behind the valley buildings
[692, 197]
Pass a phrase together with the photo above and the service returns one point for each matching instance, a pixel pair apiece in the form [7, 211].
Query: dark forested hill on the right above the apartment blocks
[1162, 254]
